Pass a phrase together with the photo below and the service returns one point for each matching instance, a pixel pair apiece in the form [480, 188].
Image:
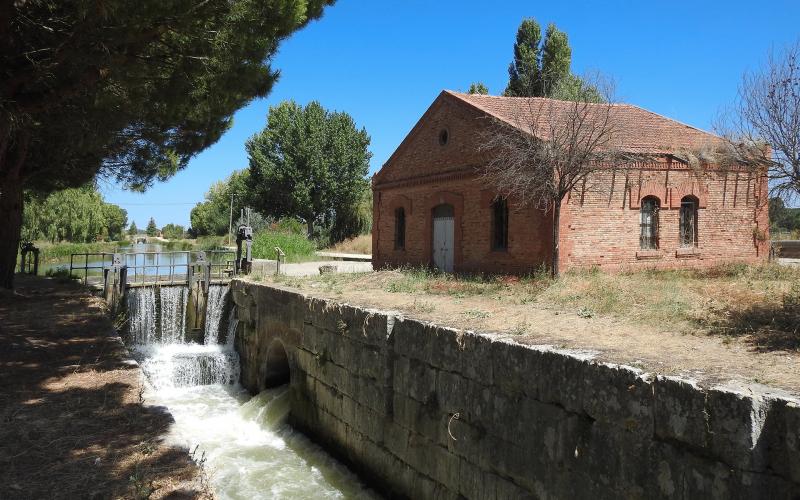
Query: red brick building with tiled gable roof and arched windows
[431, 207]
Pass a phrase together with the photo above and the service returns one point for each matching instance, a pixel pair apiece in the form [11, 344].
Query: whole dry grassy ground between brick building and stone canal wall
[729, 322]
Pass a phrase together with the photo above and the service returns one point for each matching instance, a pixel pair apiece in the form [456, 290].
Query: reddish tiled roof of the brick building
[636, 130]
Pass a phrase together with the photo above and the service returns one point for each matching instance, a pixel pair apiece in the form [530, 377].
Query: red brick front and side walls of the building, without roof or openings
[599, 224]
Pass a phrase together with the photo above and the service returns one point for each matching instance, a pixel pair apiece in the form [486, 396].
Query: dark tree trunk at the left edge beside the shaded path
[10, 227]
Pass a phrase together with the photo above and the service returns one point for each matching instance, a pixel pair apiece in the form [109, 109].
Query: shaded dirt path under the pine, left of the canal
[72, 419]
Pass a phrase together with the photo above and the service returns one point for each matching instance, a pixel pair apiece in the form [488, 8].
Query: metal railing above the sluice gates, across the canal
[155, 267]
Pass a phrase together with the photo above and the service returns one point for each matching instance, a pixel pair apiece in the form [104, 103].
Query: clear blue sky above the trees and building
[385, 61]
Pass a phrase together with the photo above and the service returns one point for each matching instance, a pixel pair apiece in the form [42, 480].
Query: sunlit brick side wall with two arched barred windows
[600, 224]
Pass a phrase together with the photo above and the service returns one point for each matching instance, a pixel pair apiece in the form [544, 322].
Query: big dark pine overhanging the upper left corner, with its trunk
[126, 90]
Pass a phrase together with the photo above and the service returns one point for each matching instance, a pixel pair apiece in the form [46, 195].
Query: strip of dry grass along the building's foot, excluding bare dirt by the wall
[762, 301]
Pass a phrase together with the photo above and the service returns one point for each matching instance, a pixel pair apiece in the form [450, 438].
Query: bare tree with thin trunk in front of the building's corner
[548, 147]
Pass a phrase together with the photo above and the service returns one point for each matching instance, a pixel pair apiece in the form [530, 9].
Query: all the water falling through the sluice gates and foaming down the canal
[249, 450]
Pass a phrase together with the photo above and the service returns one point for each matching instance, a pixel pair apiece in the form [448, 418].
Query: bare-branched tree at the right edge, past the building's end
[763, 128]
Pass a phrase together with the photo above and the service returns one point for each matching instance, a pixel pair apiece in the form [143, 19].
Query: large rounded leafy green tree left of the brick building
[309, 163]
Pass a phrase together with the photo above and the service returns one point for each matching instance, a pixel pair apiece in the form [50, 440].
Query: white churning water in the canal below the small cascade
[250, 452]
